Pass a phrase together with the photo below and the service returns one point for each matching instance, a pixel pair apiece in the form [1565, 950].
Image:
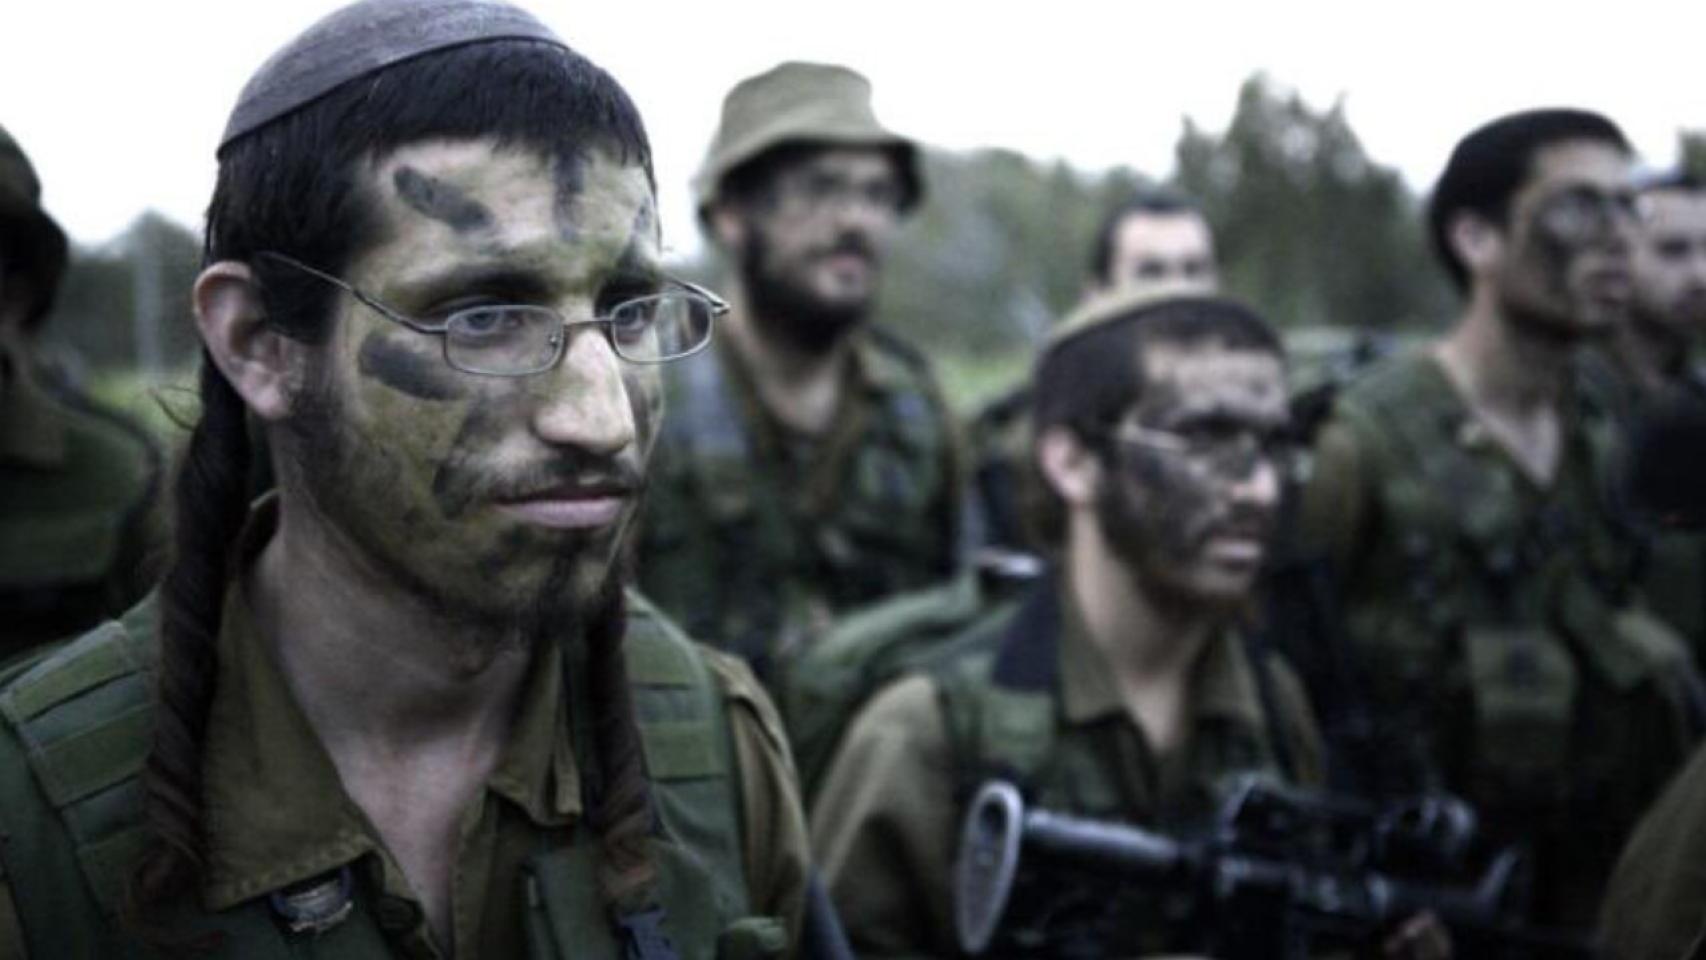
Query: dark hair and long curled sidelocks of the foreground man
[296, 187]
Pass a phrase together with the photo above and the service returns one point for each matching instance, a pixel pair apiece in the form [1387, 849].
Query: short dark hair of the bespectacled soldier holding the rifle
[1089, 381]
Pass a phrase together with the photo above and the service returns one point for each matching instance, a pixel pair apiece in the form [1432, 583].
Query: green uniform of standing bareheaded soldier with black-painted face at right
[1494, 625]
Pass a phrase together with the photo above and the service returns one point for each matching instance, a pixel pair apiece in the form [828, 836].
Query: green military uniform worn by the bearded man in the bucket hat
[757, 536]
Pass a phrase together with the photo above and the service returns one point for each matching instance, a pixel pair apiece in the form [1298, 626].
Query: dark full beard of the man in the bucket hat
[786, 309]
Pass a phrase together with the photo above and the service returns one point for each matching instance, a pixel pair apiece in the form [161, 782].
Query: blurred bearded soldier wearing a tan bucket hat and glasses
[808, 465]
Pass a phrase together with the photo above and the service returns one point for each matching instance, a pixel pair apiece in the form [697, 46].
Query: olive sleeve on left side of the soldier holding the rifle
[885, 826]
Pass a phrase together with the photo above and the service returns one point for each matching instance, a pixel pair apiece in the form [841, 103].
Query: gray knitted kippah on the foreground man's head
[366, 38]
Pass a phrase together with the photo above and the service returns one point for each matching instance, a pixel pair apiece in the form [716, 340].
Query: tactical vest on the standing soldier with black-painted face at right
[1471, 591]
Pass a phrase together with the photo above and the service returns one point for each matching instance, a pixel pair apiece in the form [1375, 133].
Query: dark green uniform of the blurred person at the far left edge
[81, 533]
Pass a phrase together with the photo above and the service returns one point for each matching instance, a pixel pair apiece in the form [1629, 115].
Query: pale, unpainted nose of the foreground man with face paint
[584, 400]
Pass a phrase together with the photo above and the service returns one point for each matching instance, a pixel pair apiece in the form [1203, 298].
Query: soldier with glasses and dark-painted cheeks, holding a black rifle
[1118, 686]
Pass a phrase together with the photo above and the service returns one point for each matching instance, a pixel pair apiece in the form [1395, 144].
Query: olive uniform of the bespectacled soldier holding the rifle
[1035, 703]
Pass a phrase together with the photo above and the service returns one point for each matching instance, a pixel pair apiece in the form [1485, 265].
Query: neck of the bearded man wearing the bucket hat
[796, 386]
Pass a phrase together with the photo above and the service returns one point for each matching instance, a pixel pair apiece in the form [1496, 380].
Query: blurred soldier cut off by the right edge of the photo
[1651, 364]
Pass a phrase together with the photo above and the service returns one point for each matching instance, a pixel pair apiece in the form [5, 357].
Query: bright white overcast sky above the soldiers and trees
[120, 103]
